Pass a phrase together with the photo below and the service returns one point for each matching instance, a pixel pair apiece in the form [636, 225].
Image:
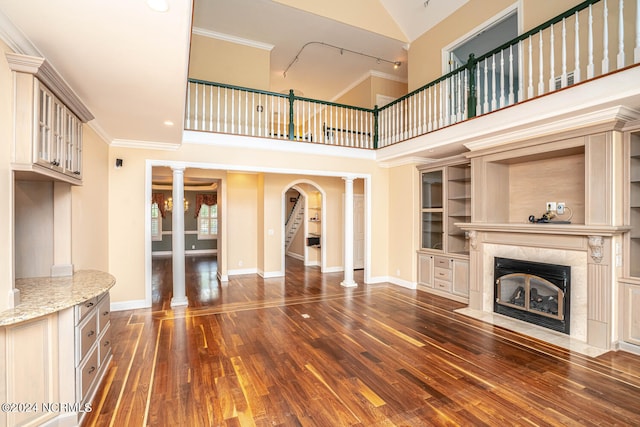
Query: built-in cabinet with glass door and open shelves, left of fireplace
[445, 200]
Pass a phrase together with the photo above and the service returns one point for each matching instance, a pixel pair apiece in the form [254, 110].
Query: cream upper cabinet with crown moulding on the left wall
[47, 125]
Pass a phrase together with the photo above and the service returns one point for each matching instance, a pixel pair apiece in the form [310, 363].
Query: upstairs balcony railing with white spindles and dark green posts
[588, 43]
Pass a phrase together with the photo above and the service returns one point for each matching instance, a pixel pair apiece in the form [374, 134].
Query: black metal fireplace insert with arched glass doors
[534, 292]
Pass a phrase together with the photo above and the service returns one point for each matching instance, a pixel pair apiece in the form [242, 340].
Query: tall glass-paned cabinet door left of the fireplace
[432, 214]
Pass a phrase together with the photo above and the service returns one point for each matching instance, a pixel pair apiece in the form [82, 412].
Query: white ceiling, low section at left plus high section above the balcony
[129, 64]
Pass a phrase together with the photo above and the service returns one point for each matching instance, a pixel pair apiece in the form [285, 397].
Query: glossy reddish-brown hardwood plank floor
[303, 351]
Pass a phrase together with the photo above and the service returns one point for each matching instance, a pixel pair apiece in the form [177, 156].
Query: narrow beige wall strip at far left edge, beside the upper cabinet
[6, 182]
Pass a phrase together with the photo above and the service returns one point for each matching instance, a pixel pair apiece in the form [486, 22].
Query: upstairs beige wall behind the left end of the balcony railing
[248, 66]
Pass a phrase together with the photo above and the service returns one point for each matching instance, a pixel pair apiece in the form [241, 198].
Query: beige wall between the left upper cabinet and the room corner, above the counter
[90, 206]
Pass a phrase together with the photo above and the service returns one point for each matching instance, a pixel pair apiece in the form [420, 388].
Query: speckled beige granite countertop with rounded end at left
[41, 296]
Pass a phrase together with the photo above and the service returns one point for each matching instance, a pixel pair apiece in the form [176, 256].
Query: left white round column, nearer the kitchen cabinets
[177, 239]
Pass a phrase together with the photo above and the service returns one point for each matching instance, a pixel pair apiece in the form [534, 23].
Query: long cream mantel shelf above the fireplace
[546, 228]
